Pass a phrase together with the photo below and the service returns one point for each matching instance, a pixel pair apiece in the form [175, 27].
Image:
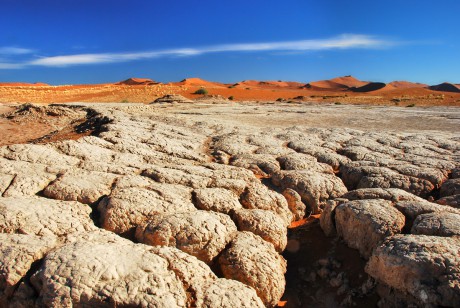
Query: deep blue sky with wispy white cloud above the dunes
[83, 41]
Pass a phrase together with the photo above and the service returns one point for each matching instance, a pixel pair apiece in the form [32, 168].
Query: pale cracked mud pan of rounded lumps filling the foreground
[233, 205]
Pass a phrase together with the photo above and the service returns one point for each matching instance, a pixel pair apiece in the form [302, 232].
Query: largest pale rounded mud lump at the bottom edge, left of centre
[100, 273]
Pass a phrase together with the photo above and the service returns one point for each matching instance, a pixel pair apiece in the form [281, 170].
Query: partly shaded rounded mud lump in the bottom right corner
[427, 267]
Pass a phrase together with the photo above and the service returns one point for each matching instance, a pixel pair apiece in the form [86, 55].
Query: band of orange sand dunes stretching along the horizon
[251, 90]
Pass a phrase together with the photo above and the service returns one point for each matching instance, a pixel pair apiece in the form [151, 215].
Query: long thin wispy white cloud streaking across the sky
[347, 41]
